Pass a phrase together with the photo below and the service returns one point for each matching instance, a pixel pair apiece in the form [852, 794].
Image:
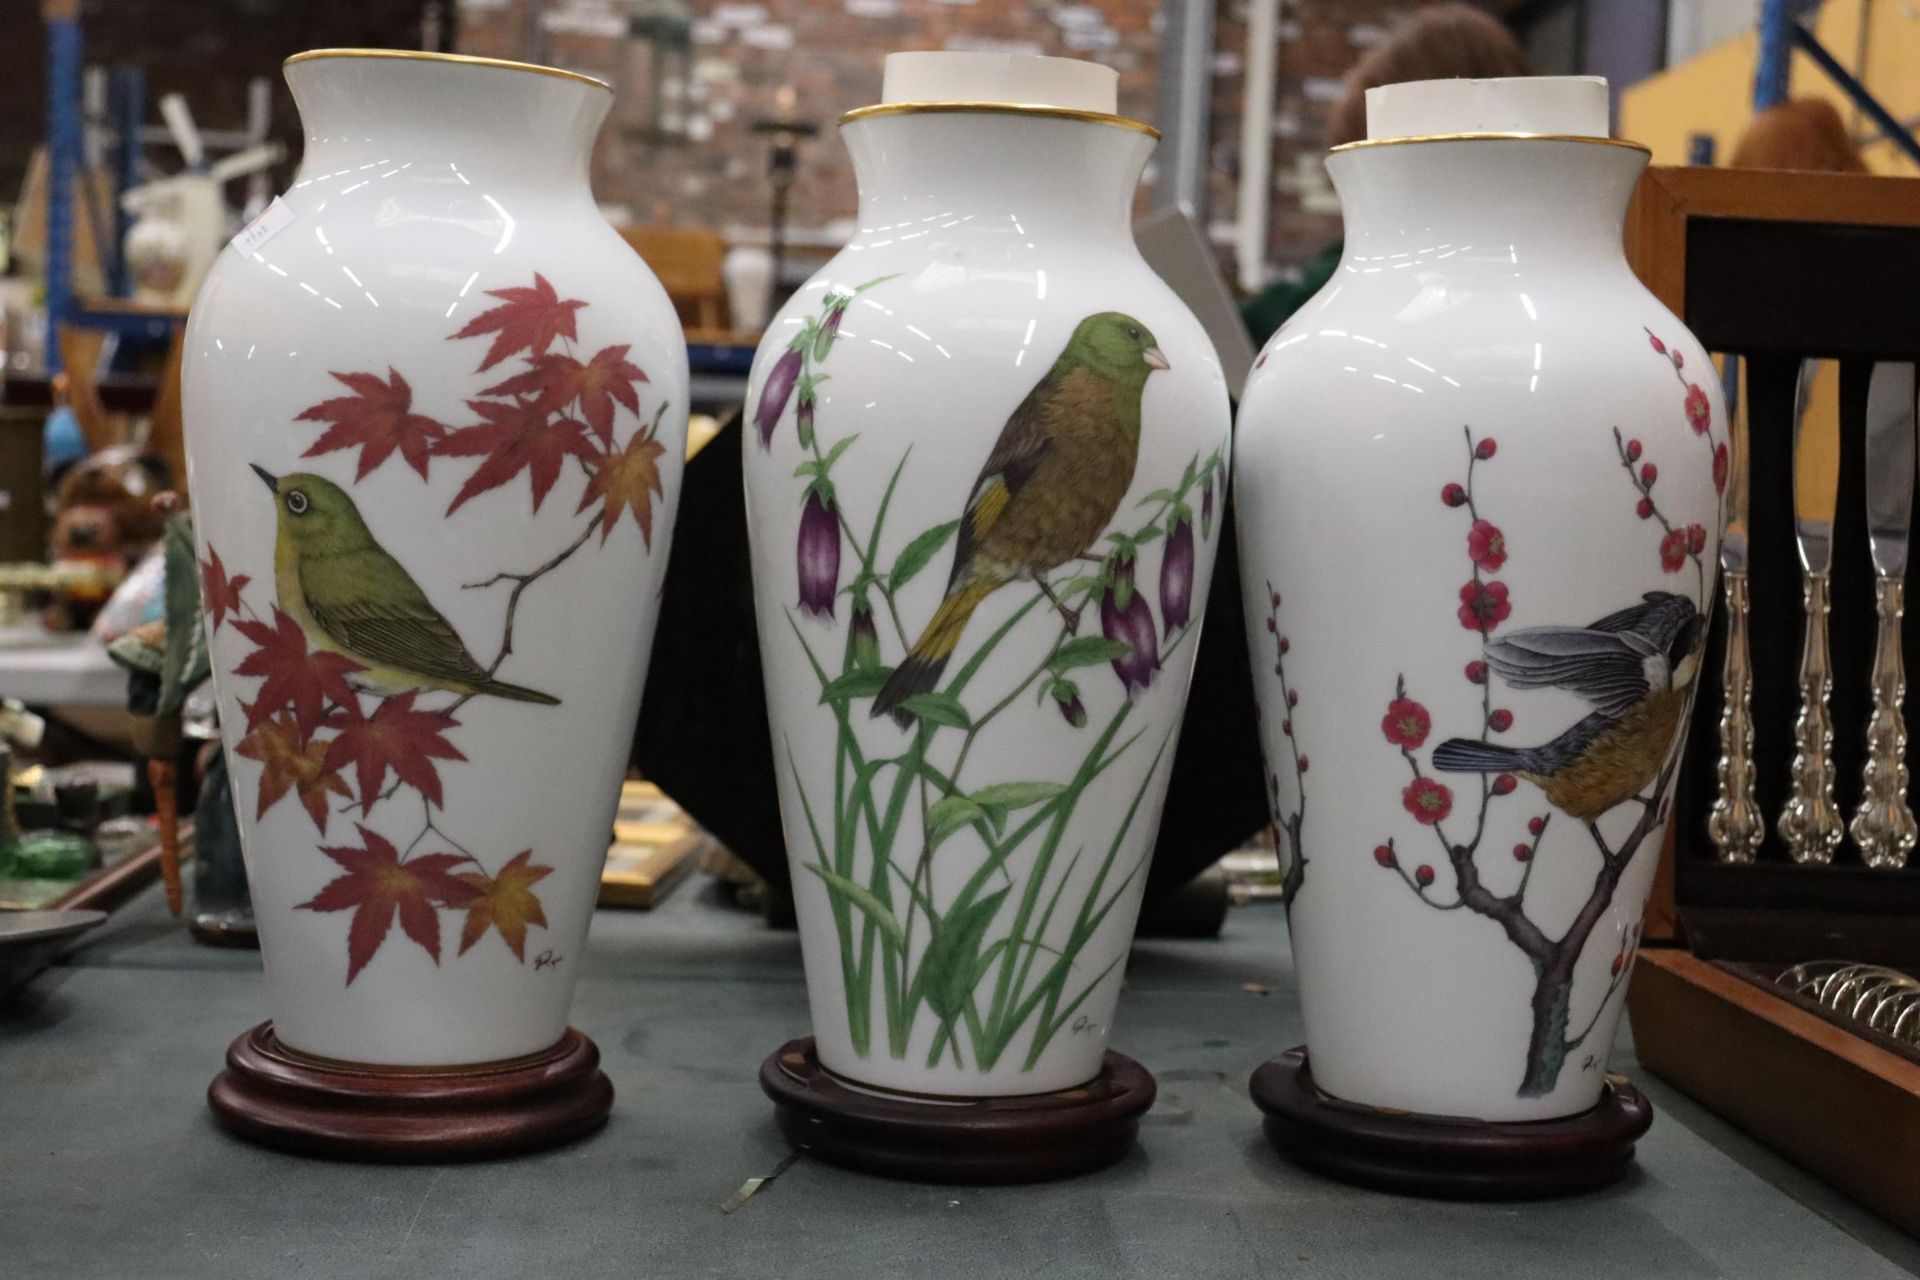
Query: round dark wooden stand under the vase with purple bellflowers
[996, 1141]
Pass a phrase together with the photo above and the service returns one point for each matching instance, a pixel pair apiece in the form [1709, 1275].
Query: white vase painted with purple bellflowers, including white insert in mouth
[988, 446]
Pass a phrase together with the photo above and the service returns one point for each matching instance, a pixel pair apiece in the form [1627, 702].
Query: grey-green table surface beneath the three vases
[114, 1168]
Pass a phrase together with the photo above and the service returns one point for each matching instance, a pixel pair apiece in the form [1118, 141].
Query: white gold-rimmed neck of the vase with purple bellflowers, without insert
[1032, 178]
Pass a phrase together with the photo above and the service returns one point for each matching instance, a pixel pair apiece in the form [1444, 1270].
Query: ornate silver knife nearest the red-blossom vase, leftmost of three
[1737, 826]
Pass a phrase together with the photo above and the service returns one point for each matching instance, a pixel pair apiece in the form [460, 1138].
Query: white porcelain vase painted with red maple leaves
[435, 419]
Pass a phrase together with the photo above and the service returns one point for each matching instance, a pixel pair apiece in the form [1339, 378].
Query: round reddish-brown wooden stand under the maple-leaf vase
[283, 1099]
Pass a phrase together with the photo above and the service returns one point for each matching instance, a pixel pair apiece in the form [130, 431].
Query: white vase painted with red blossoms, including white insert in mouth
[1479, 504]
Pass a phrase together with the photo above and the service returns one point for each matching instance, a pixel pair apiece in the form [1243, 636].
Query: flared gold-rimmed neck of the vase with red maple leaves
[473, 122]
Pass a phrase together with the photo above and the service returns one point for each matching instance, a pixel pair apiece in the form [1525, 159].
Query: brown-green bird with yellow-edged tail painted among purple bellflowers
[1053, 483]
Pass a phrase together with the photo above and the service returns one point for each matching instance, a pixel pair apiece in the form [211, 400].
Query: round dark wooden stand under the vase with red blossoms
[1449, 1156]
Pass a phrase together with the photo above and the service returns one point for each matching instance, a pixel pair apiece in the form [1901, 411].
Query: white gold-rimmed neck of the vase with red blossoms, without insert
[1524, 202]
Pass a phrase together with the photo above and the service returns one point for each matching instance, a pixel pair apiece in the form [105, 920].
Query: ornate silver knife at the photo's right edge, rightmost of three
[1884, 824]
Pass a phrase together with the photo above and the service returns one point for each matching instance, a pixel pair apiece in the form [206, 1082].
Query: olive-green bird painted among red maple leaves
[354, 600]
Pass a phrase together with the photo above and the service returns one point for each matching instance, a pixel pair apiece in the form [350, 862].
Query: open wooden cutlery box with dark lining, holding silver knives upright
[1773, 268]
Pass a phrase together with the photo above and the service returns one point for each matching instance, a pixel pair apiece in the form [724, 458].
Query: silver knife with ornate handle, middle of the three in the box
[1810, 824]
